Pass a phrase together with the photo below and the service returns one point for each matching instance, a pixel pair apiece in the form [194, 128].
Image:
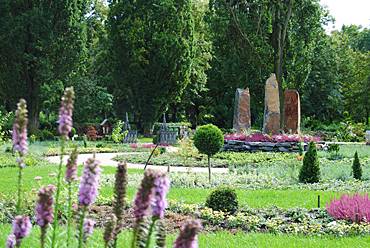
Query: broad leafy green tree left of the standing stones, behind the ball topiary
[152, 44]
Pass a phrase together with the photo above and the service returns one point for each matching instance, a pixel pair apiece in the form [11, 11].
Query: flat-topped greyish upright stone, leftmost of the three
[242, 111]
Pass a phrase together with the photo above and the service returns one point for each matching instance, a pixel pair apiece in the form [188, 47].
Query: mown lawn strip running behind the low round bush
[251, 198]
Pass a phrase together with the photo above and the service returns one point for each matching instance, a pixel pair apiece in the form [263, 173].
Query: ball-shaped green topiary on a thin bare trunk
[208, 139]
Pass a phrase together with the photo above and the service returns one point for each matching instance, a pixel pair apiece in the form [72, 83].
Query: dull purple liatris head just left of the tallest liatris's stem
[44, 208]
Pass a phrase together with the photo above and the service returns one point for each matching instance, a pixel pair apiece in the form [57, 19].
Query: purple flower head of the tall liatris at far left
[20, 128]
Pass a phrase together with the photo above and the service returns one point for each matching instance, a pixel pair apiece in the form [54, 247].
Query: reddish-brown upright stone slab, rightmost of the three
[292, 112]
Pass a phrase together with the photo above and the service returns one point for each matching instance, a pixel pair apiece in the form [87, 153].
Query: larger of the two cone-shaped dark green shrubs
[310, 171]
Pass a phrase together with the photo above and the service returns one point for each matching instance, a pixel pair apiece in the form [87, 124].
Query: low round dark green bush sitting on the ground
[223, 199]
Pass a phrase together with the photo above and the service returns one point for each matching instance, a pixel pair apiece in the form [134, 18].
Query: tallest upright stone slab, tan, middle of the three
[271, 120]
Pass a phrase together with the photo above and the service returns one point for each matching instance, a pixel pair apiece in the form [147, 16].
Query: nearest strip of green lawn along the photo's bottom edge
[222, 240]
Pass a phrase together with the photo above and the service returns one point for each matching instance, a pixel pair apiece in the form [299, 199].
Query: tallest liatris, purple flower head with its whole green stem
[64, 128]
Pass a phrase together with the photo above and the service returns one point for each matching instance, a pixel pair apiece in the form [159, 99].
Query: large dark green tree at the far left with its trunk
[41, 44]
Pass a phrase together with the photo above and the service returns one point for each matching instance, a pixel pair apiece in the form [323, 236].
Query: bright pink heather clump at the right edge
[355, 208]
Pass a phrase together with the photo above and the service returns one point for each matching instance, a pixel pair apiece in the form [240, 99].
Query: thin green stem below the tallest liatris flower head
[59, 182]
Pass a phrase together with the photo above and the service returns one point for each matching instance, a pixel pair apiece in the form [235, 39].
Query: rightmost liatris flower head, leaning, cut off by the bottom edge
[188, 235]
